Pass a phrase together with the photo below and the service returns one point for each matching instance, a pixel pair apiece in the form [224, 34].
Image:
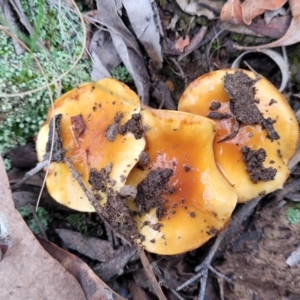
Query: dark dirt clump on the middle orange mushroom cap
[151, 190]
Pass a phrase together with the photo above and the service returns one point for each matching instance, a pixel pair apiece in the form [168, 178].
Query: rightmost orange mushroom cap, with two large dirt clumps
[252, 152]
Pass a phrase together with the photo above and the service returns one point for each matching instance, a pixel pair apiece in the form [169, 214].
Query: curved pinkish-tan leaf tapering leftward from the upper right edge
[292, 36]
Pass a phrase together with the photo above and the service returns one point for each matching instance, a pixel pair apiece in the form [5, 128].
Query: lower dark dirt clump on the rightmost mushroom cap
[254, 165]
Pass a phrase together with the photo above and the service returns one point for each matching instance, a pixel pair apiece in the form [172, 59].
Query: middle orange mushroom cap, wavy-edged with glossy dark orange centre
[182, 199]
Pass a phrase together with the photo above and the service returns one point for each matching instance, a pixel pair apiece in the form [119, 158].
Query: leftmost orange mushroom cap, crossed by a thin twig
[95, 136]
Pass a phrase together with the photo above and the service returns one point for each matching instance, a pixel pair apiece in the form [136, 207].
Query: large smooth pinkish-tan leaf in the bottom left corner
[27, 271]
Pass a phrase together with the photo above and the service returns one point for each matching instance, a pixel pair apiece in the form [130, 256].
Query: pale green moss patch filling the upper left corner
[56, 42]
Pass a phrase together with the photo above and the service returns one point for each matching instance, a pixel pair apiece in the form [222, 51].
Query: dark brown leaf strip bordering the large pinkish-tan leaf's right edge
[94, 288]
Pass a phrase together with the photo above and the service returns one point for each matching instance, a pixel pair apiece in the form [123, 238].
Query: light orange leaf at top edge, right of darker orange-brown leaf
[252, 9]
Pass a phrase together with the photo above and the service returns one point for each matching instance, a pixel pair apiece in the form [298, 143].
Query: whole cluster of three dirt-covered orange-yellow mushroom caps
[169, 180]
